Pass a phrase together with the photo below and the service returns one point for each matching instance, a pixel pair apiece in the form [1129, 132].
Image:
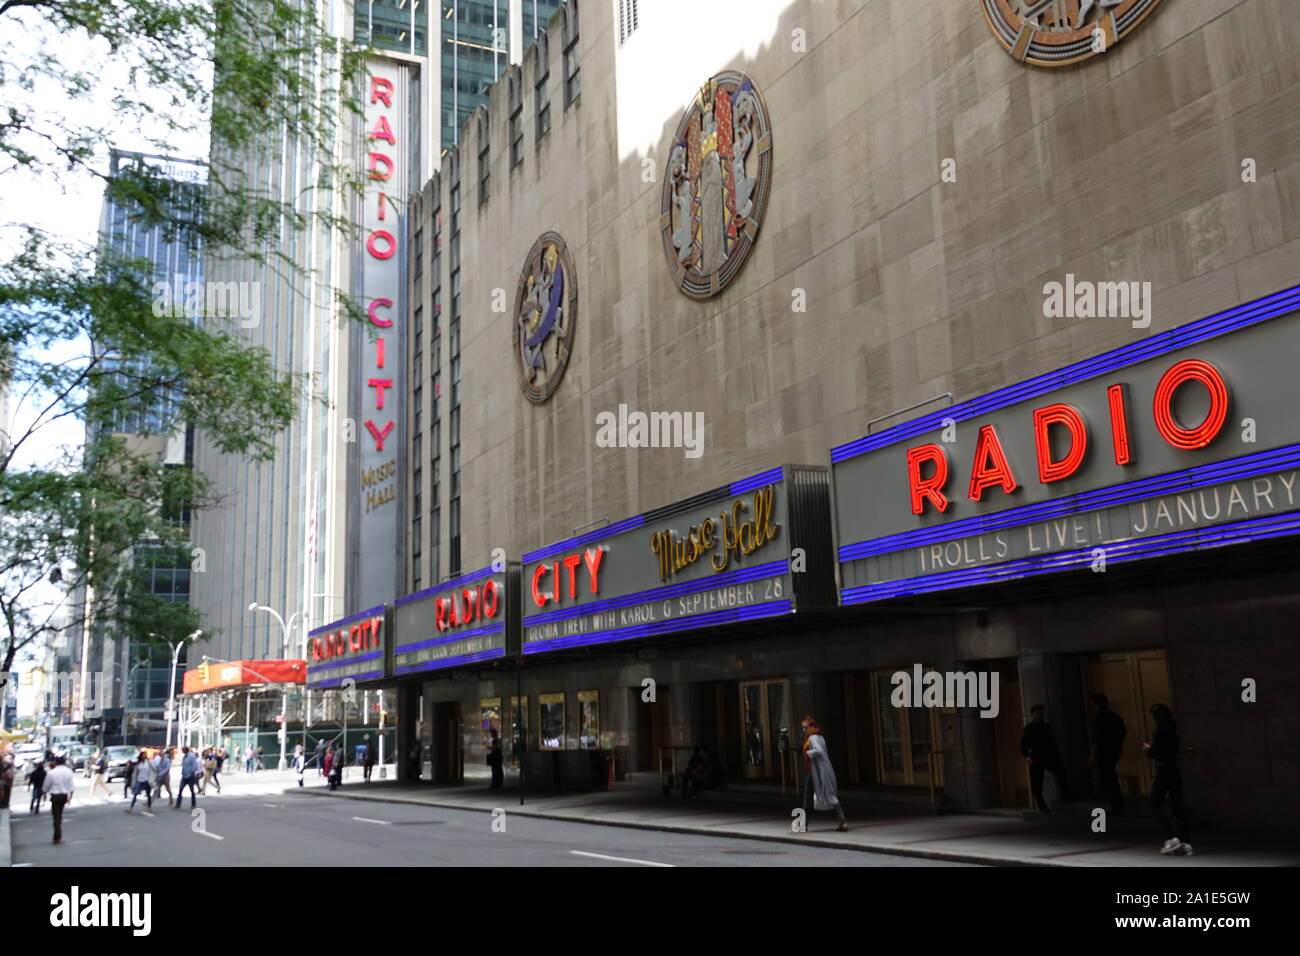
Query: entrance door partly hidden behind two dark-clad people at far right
[1133, 682]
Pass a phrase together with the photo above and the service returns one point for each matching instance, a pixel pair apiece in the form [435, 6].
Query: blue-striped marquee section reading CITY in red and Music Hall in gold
[713, 560]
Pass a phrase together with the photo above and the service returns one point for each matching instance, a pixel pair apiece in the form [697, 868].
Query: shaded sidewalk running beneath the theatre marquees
[1004, 838]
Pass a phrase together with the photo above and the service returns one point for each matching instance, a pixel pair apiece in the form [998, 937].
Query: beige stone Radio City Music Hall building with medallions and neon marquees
[837, 235]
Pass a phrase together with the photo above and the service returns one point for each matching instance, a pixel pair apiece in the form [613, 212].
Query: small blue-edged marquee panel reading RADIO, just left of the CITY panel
[454, 624]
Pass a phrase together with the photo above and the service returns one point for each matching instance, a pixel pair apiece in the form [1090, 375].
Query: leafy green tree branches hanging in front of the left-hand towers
[92, 343]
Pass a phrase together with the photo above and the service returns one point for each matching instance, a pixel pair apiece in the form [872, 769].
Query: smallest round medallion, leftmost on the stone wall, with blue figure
[545, 317]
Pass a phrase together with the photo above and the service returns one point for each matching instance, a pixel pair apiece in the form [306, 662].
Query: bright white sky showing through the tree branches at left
[66, 204]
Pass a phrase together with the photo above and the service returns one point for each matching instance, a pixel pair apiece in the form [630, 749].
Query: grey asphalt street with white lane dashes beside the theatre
[255, 824]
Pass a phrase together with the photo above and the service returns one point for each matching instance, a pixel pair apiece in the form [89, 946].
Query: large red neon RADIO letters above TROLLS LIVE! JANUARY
[929, 468]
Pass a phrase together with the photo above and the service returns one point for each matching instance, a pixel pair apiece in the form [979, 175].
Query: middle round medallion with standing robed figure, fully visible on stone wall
[717, 183]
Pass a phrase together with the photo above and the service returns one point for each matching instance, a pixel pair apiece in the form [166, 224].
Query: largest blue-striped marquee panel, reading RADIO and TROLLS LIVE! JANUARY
[1176, 443]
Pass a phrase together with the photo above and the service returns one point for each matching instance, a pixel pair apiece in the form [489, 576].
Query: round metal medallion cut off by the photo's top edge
[1055, 33]
